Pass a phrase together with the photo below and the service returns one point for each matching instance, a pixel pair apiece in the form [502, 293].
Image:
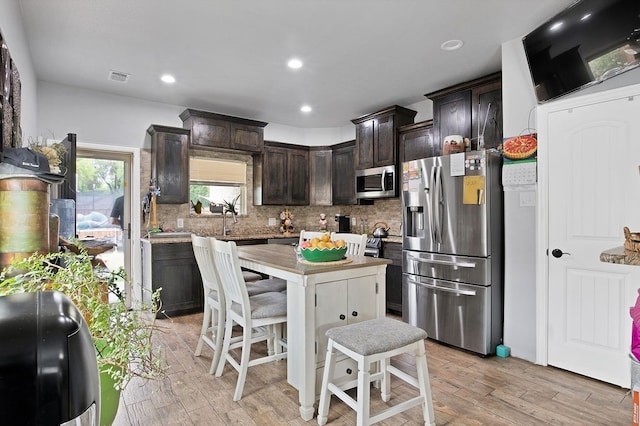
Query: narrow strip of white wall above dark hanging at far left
[13, 33]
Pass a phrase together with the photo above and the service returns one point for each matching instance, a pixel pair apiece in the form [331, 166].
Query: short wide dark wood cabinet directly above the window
[211, 130]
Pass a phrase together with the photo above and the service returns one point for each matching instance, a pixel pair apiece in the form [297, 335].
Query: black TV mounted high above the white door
[587, 43]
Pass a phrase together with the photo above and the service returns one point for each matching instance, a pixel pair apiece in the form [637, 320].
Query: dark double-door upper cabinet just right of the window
[281, 175]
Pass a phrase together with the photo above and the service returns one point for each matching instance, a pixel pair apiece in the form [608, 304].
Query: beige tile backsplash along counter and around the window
[256, 221]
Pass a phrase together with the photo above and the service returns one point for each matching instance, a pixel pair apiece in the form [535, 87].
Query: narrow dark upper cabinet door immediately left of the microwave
[343, 177]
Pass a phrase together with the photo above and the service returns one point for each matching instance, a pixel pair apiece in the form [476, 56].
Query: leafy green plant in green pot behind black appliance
[123, 337]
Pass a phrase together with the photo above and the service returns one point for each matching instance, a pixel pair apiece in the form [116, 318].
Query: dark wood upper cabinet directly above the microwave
[377, 136]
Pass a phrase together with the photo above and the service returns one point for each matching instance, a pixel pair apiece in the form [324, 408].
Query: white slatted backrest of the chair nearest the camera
[225, 255]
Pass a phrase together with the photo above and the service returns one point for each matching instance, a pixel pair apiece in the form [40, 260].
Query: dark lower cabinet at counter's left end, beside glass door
[173, 267]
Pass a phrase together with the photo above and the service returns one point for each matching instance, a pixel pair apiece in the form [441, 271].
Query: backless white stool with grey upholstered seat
[372, 341]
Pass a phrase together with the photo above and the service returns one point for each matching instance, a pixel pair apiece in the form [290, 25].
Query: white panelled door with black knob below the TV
[594, 191]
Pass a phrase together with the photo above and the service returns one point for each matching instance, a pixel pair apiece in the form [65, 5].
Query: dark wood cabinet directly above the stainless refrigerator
[463, 109]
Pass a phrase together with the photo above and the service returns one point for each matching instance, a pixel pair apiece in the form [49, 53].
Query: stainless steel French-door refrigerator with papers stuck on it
[452, 282]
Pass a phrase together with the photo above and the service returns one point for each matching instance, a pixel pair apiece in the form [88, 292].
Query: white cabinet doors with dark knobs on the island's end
[340, 303]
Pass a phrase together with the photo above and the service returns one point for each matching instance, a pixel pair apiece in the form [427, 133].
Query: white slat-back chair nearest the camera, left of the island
[267, 311]
